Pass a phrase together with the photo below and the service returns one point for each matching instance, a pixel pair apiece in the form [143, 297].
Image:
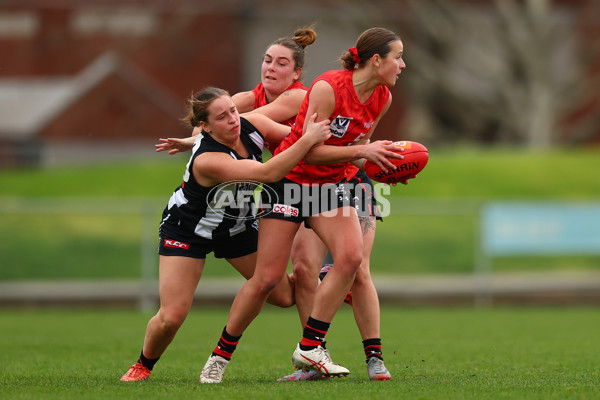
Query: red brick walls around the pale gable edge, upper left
[182, 54]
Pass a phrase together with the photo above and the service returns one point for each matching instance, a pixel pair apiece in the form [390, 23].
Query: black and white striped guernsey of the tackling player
[214, 212]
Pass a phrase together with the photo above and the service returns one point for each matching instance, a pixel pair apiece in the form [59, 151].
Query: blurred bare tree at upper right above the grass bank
[499, 72]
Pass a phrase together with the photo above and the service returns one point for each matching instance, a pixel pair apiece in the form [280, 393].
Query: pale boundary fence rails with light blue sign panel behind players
[502, 229]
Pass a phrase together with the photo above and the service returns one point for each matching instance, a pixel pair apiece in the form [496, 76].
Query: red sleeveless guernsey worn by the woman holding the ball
[351, 120]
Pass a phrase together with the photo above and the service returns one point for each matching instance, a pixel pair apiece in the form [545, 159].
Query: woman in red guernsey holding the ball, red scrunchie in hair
[354, 99]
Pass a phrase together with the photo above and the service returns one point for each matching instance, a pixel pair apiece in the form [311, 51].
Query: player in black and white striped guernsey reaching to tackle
[212, 210]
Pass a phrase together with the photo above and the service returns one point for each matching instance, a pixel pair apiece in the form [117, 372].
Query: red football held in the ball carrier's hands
[415, 158]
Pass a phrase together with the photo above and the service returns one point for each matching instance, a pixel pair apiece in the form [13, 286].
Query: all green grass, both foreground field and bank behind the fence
[452, 353]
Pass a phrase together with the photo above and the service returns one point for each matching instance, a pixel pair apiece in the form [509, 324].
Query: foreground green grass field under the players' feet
[530, 353]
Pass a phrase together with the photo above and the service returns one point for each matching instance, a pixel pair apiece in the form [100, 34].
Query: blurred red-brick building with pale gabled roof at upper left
[75, 72]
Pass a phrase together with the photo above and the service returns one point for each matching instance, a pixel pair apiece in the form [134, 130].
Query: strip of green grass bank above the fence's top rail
[565, 174]
